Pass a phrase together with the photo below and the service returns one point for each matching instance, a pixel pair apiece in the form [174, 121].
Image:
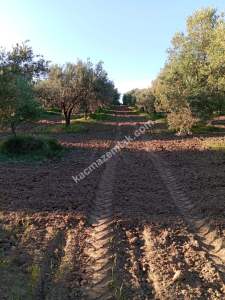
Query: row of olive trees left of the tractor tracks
[28, 84]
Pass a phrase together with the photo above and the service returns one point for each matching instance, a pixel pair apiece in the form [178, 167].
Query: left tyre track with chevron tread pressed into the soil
[99, 248]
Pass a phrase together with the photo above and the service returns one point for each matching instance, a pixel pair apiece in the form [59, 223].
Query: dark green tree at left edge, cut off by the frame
[18, 68]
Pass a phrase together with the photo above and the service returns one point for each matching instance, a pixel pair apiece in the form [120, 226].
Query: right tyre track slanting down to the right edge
[213, 244]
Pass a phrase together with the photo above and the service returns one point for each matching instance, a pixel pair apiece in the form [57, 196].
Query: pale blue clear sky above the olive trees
[130, 36]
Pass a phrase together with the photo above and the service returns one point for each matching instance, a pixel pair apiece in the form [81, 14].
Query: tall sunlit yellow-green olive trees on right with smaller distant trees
[191, 86]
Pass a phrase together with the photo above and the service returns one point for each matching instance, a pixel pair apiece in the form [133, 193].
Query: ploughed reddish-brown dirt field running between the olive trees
[147, 224]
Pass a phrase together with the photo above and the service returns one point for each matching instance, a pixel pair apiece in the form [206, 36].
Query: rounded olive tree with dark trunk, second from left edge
[80, 87]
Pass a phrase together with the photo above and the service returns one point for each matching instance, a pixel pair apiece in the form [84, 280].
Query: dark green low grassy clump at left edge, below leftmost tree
[30, 148]
